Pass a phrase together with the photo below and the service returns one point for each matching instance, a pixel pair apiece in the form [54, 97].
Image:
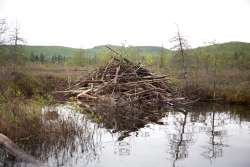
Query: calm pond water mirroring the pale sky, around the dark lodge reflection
[206, 135]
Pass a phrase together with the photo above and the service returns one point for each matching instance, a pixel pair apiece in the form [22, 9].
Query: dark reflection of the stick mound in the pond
[123, 120]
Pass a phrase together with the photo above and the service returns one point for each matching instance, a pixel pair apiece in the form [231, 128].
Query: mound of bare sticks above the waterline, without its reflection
[122, 82]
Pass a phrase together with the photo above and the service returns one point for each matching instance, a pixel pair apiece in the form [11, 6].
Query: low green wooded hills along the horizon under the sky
[227, 53]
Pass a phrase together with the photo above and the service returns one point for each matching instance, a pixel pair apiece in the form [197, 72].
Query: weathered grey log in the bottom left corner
[18, 153]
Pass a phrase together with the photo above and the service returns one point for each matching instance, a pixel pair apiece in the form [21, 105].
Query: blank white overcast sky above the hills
[86, 23]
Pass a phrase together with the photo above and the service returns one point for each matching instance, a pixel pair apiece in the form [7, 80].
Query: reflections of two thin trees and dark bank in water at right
[184, 127]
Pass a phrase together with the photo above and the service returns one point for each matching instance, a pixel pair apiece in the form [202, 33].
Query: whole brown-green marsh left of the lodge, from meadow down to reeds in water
[28, 114]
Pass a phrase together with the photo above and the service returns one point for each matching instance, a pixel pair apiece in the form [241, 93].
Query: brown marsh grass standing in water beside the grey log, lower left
[42, 132]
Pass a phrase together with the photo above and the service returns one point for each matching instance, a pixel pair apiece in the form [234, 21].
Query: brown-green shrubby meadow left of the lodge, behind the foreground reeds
[36, 80]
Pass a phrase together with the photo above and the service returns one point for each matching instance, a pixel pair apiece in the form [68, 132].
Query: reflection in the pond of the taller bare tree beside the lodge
[180, 138]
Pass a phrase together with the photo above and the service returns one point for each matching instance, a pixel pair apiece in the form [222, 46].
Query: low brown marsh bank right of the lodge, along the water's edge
[229, 86]
